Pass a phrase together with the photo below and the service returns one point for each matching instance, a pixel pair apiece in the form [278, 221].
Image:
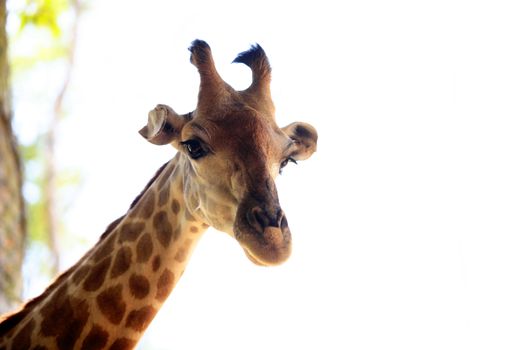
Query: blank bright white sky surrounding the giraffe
[408, 223]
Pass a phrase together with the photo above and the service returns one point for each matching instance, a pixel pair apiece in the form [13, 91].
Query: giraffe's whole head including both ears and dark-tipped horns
[234, 150]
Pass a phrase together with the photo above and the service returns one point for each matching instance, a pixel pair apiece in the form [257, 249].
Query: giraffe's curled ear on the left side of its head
[164, 125]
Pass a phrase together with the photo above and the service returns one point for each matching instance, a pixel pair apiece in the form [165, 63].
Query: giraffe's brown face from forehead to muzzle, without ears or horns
[234, 163]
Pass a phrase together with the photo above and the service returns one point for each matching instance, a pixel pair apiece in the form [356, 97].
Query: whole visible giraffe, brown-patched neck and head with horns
[230, 150]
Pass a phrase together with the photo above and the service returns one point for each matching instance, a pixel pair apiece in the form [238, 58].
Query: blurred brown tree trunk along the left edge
[12, 219]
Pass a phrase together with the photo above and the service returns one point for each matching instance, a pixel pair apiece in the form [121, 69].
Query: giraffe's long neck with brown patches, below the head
[111, 295]
